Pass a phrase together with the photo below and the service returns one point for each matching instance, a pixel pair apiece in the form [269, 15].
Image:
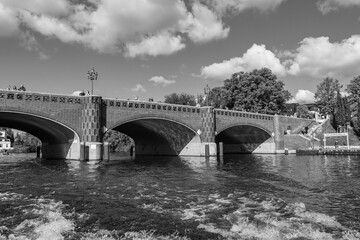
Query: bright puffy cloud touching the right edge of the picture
[318, 57]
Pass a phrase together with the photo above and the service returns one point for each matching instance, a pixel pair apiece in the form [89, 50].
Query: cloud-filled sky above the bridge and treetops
[152, 48]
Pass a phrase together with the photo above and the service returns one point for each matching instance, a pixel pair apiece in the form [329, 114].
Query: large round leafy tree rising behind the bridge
[256, 91]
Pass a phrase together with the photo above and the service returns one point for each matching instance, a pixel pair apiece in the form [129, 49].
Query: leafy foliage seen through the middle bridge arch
[118, 141]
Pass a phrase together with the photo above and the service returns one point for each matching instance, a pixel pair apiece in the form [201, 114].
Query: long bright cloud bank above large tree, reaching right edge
[315, 57]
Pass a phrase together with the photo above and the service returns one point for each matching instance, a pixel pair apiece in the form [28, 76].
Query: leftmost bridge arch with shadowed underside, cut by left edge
[58, 140]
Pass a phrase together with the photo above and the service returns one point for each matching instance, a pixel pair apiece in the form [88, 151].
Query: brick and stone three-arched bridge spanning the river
[66, 123]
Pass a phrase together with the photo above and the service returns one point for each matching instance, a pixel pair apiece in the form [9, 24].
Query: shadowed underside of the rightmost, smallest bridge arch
[245, 139]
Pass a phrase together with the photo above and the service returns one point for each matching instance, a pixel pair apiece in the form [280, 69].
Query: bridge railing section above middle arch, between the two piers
[150, 105]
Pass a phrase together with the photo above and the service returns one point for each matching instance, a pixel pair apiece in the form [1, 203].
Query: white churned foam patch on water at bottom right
[273, 219]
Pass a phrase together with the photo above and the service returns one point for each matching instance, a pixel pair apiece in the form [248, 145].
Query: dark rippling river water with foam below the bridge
[238, 197]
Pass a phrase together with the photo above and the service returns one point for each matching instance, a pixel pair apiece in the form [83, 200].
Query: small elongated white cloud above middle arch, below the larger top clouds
[161, 44]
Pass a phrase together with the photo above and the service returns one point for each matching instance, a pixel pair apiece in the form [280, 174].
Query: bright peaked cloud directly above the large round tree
[256, 57]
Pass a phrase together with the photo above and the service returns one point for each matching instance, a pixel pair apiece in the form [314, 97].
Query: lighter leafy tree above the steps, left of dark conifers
[326, 96]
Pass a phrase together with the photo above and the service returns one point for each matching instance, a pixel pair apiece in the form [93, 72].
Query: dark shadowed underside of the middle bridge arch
[158, 136]
